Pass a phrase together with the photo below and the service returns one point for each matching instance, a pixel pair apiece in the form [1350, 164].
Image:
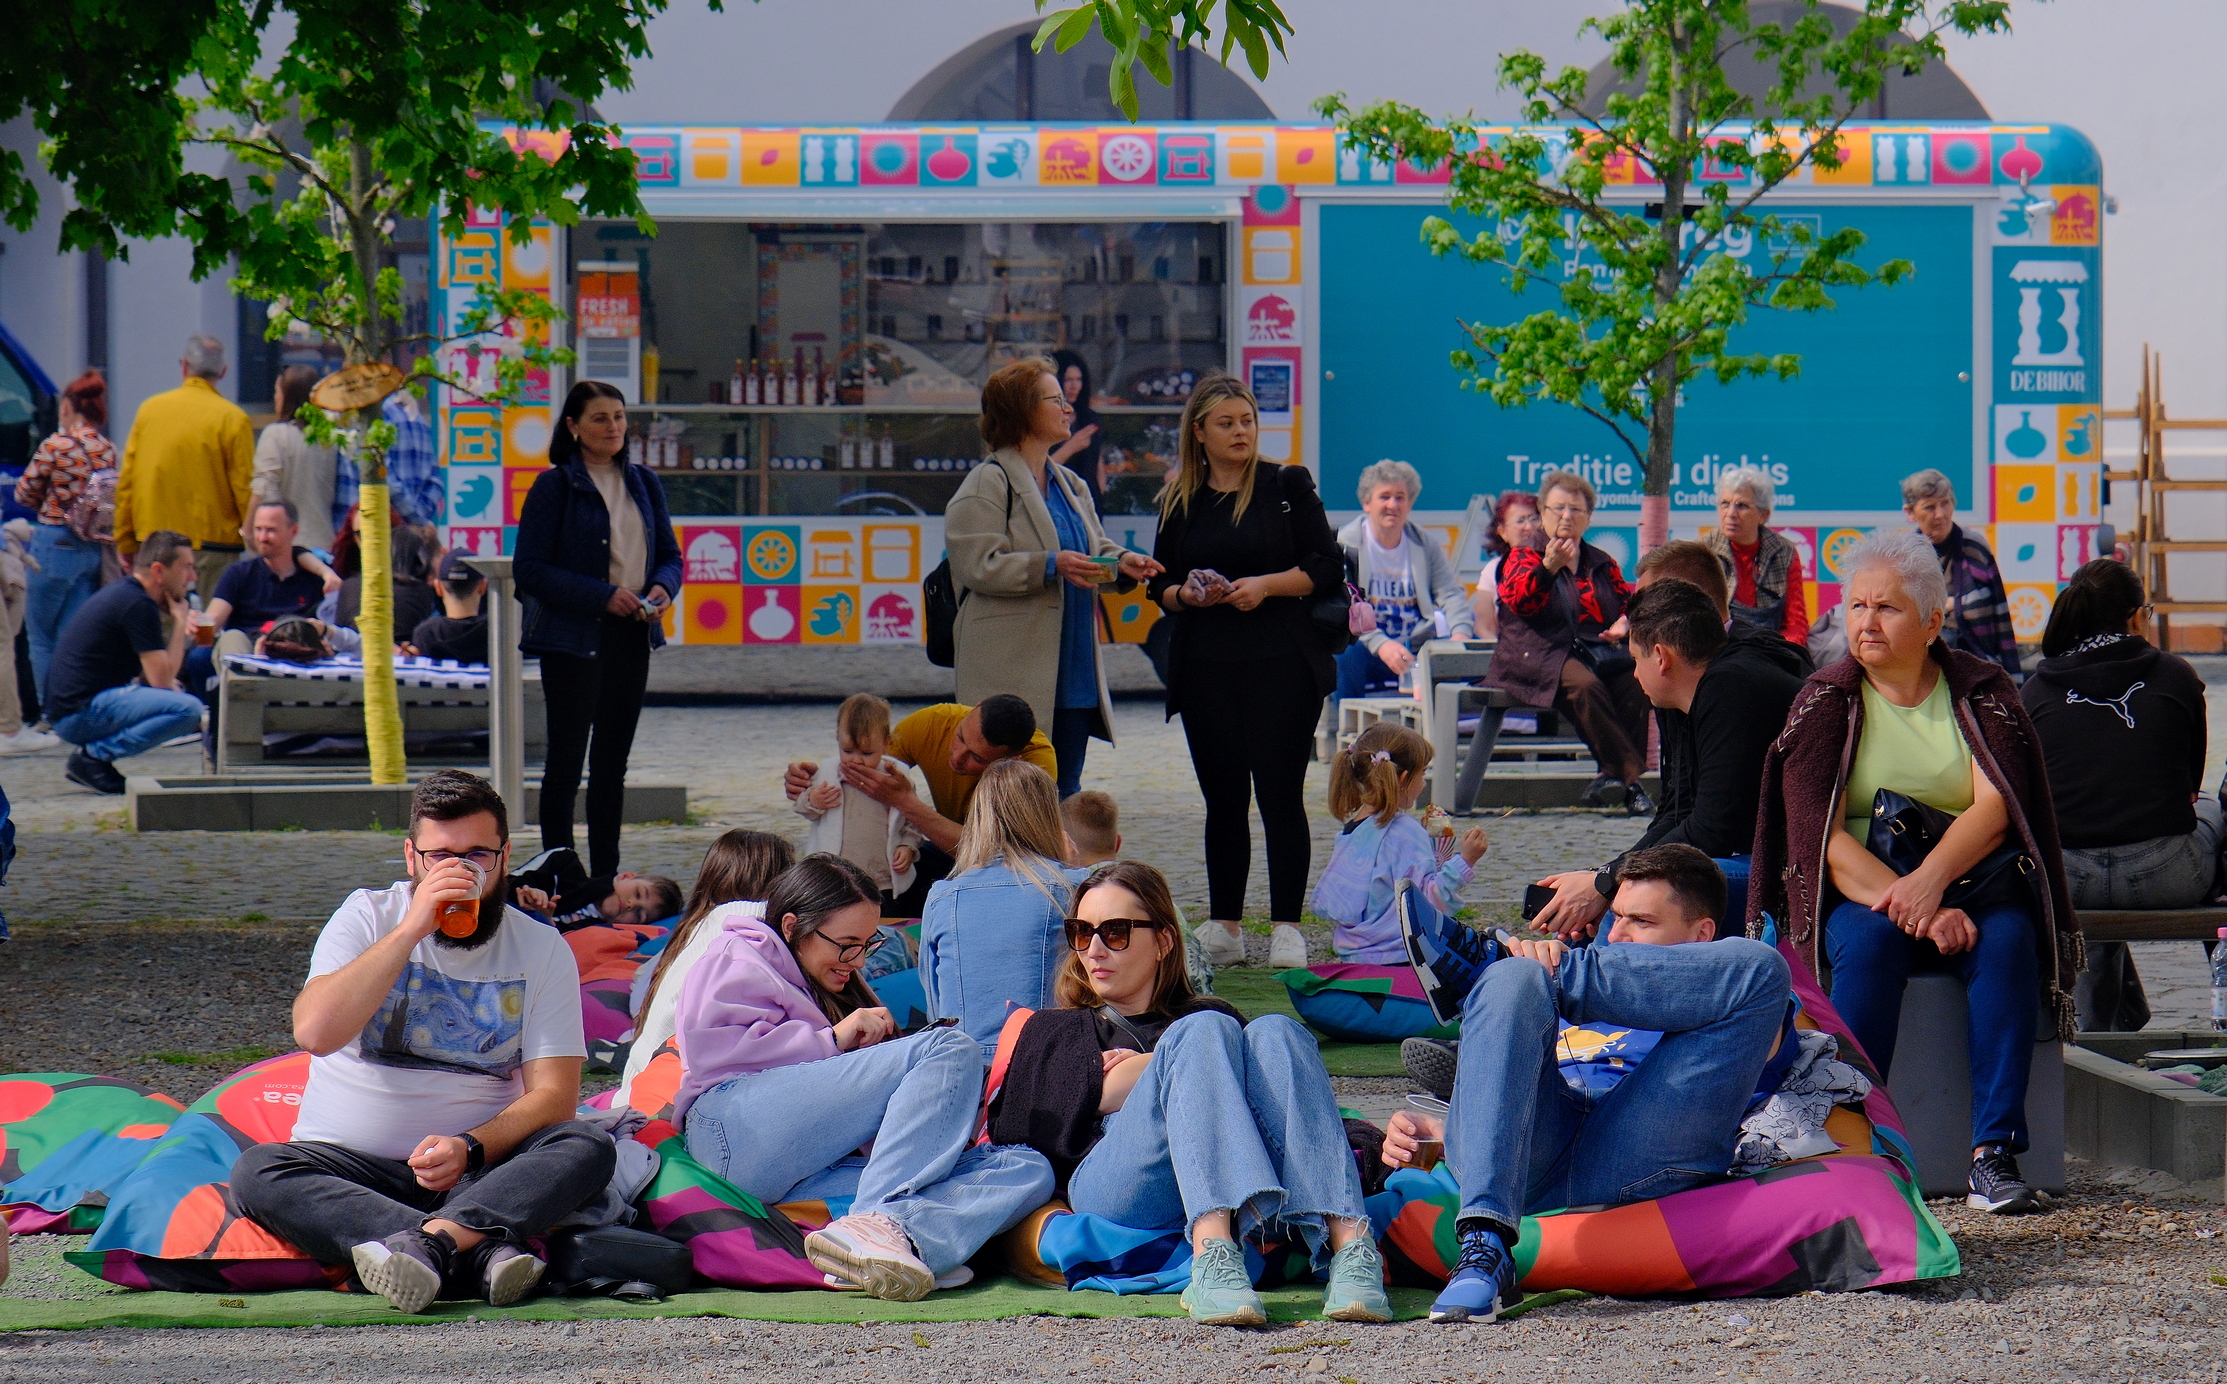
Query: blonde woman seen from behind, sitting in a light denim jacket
[990, 935]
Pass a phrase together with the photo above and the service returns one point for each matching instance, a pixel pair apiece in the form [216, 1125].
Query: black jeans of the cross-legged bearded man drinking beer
[326, 1200]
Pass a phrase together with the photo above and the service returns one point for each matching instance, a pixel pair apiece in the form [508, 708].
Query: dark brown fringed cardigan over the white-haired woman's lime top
[1807, 774]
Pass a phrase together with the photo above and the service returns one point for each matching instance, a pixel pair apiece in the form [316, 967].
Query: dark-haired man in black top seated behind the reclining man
[1720, 701]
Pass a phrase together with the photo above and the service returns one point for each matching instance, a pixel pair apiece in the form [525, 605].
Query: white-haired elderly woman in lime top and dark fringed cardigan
[1961, 873]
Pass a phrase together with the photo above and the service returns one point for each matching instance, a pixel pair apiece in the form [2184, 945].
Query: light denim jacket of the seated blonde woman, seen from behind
[990, 942]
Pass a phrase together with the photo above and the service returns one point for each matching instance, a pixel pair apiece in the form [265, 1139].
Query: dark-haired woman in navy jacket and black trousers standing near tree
[596, 565]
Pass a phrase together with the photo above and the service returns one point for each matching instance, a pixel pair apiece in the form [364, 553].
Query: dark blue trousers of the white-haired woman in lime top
[1872, 959]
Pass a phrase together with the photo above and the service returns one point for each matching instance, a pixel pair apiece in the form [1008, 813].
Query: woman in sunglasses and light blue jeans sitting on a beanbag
[1164, 1109]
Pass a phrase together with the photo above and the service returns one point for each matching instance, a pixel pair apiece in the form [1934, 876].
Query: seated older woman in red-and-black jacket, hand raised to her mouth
[1562, 641]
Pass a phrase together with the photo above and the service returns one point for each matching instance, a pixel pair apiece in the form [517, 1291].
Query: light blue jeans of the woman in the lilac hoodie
[792, 1136]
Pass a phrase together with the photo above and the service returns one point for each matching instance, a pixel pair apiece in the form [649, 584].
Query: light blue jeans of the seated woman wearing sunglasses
[1226, 1120]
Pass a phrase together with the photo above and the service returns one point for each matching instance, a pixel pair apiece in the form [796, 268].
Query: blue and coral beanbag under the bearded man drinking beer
[173, 1222]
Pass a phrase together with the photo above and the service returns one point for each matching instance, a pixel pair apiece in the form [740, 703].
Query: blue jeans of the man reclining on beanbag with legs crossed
[1524, 1140]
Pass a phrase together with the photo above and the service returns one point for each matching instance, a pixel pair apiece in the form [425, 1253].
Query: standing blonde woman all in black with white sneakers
[1246, 552]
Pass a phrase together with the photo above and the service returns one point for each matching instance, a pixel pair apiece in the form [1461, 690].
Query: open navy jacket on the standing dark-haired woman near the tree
[562, 558]
